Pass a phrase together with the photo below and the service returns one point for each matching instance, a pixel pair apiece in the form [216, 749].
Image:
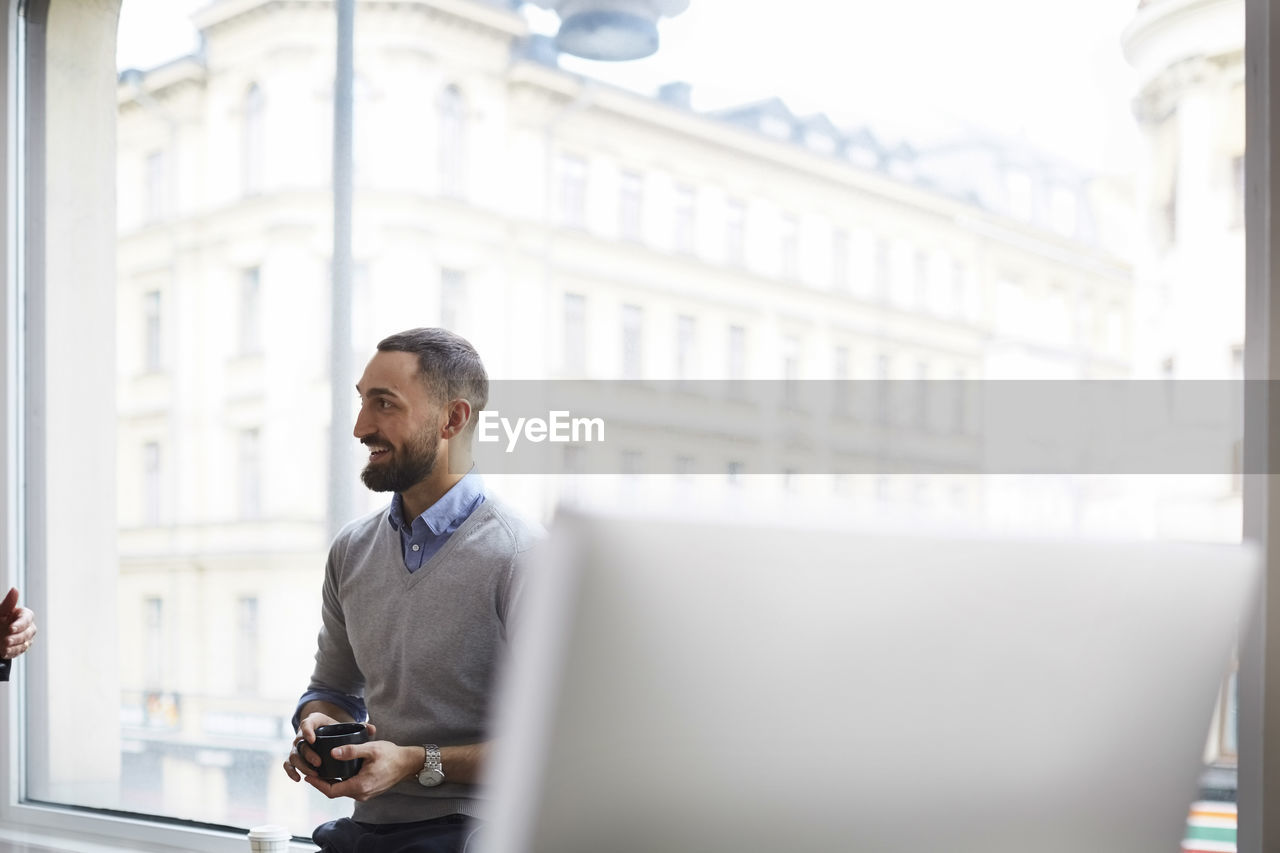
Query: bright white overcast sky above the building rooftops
[1046, 71]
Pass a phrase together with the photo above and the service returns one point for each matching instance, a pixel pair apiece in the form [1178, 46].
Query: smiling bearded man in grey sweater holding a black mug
[415, 608]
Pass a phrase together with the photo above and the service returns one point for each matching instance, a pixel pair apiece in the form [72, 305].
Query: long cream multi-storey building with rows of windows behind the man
[572, 231]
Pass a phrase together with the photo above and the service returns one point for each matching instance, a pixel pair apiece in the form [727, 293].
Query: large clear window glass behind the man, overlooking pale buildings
[959, 223]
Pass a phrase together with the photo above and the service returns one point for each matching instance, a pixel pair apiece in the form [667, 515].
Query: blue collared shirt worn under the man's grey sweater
[420, 541]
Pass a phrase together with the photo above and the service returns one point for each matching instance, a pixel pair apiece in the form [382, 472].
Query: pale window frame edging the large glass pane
[22, 51]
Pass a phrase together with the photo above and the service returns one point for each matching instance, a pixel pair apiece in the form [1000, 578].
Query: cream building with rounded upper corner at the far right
[1190, 279]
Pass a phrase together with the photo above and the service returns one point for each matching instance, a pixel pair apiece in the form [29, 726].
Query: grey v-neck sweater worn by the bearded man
[422, 649]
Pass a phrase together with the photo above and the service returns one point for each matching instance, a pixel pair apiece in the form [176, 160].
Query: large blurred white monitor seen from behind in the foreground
[730, 688]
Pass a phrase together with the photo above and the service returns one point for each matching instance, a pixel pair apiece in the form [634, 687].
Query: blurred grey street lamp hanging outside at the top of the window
[611, 30]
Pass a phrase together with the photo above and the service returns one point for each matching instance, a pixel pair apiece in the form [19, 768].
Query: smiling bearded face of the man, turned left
[397, 422]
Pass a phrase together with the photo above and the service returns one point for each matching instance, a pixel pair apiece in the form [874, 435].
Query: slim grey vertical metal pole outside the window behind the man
[341, 469]
